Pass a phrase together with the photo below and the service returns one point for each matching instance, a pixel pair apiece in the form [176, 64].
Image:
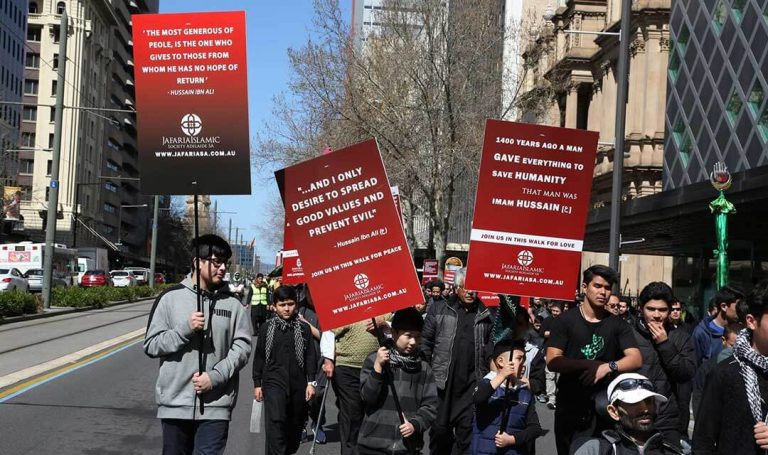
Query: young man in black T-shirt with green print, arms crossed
[589, 346]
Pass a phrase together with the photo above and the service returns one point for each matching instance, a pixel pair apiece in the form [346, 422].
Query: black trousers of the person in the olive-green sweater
[346, 386]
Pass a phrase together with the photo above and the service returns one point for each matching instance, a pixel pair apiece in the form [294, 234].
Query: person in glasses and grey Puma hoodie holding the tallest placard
[195, 408]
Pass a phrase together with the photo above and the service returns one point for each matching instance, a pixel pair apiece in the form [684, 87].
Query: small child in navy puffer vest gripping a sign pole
[505, 419]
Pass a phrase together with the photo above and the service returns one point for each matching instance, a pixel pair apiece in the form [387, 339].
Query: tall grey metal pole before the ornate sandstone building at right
[621, 116]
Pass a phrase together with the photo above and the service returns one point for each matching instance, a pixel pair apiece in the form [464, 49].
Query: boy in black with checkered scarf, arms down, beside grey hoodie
[284, 369]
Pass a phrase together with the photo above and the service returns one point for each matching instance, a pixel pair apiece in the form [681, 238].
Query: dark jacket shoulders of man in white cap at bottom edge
[618, 443]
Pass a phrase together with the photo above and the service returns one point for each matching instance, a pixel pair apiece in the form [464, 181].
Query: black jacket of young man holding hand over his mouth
[666, 365]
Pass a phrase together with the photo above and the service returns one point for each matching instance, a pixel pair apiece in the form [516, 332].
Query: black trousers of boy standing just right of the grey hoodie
[284, 419]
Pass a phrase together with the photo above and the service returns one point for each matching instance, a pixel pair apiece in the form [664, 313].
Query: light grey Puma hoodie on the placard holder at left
[227, 348]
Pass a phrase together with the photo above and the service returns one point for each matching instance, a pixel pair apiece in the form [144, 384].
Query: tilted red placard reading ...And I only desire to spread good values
[346, 228]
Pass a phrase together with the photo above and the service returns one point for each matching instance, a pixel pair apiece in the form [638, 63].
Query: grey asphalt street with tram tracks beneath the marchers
[107, 406]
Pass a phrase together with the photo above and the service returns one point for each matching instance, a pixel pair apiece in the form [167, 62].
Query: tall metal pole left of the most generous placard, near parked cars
[53, 195]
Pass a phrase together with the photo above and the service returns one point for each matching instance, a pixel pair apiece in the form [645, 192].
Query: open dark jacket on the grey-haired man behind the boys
[440, 331]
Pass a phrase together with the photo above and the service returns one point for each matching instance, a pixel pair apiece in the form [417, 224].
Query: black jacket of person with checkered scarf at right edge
[724, 424]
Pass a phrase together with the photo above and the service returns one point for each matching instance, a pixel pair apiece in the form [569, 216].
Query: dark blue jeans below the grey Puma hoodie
[194, 437]
